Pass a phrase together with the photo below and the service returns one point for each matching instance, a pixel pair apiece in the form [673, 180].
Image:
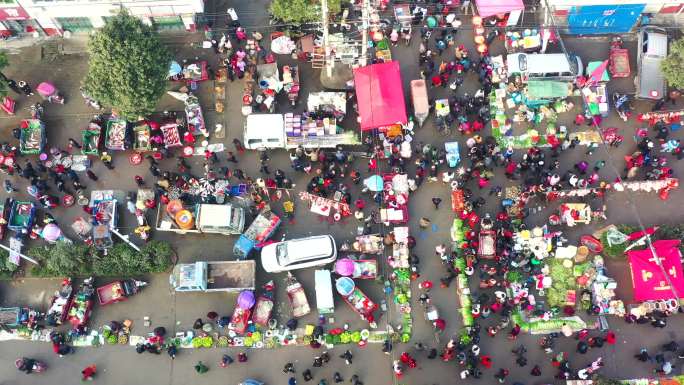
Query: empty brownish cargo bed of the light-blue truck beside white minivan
[222, 275]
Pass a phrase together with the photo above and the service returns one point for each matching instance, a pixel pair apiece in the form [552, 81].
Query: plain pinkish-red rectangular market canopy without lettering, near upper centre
[380, 95]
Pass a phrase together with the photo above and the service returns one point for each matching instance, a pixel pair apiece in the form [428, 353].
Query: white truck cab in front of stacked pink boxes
[264, 131]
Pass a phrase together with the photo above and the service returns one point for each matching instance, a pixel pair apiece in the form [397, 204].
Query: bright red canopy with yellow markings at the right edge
[648, 280]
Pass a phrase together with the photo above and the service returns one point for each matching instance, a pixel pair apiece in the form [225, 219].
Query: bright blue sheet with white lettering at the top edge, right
[603, 19]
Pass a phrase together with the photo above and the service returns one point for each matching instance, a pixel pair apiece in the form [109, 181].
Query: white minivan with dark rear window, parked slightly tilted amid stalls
[298, 253]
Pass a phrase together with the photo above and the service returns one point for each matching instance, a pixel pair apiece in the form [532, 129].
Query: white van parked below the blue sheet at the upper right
[550, 66]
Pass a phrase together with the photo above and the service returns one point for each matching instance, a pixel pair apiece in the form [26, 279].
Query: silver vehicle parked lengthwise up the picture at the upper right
[652, 50]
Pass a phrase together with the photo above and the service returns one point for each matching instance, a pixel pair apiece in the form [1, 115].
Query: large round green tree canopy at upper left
[128, 66]
